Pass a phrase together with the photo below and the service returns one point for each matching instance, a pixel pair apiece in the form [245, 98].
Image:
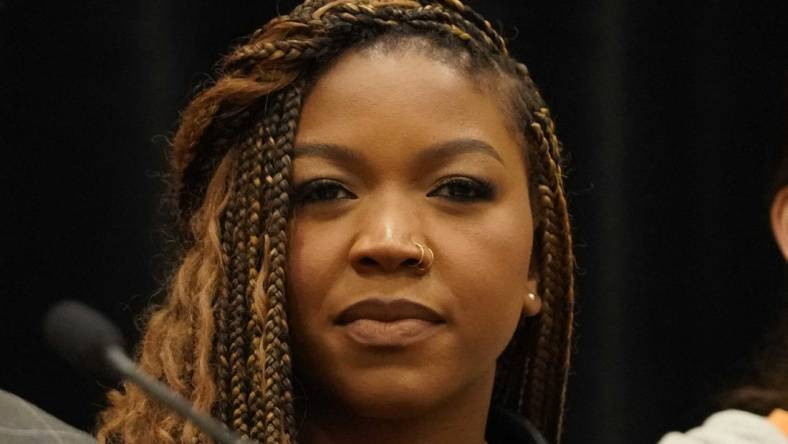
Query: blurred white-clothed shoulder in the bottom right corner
[730, 427]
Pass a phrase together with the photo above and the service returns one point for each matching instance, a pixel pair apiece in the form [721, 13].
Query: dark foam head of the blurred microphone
[81, 335]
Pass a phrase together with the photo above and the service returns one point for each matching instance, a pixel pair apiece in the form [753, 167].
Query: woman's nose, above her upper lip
[386, 240]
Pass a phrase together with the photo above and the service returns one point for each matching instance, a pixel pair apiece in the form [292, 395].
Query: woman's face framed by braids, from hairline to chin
[394, 149]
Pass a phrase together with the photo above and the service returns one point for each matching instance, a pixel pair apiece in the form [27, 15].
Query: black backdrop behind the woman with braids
[671, 112]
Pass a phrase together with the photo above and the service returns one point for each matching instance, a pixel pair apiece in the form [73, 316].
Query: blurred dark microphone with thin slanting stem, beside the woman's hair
[90, 341]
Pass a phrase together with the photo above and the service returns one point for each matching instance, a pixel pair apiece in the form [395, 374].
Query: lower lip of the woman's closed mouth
[399, 333]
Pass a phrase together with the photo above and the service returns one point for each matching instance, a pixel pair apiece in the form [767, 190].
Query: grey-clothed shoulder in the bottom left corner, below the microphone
[21, 423]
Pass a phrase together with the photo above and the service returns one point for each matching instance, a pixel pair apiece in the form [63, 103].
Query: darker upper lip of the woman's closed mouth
[387, 311]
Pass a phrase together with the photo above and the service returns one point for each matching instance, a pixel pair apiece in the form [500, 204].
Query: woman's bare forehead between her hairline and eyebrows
[402, 99]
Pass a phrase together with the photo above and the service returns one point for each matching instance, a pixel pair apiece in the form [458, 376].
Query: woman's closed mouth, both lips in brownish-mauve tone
[397, 323]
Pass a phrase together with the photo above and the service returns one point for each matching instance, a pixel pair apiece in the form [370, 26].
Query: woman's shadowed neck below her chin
[461, 419]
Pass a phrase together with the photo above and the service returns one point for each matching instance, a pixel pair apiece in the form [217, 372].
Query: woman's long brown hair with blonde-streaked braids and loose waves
[221, 337]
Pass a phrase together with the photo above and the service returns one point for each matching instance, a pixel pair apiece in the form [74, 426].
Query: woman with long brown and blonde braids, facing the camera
[378, 245]
